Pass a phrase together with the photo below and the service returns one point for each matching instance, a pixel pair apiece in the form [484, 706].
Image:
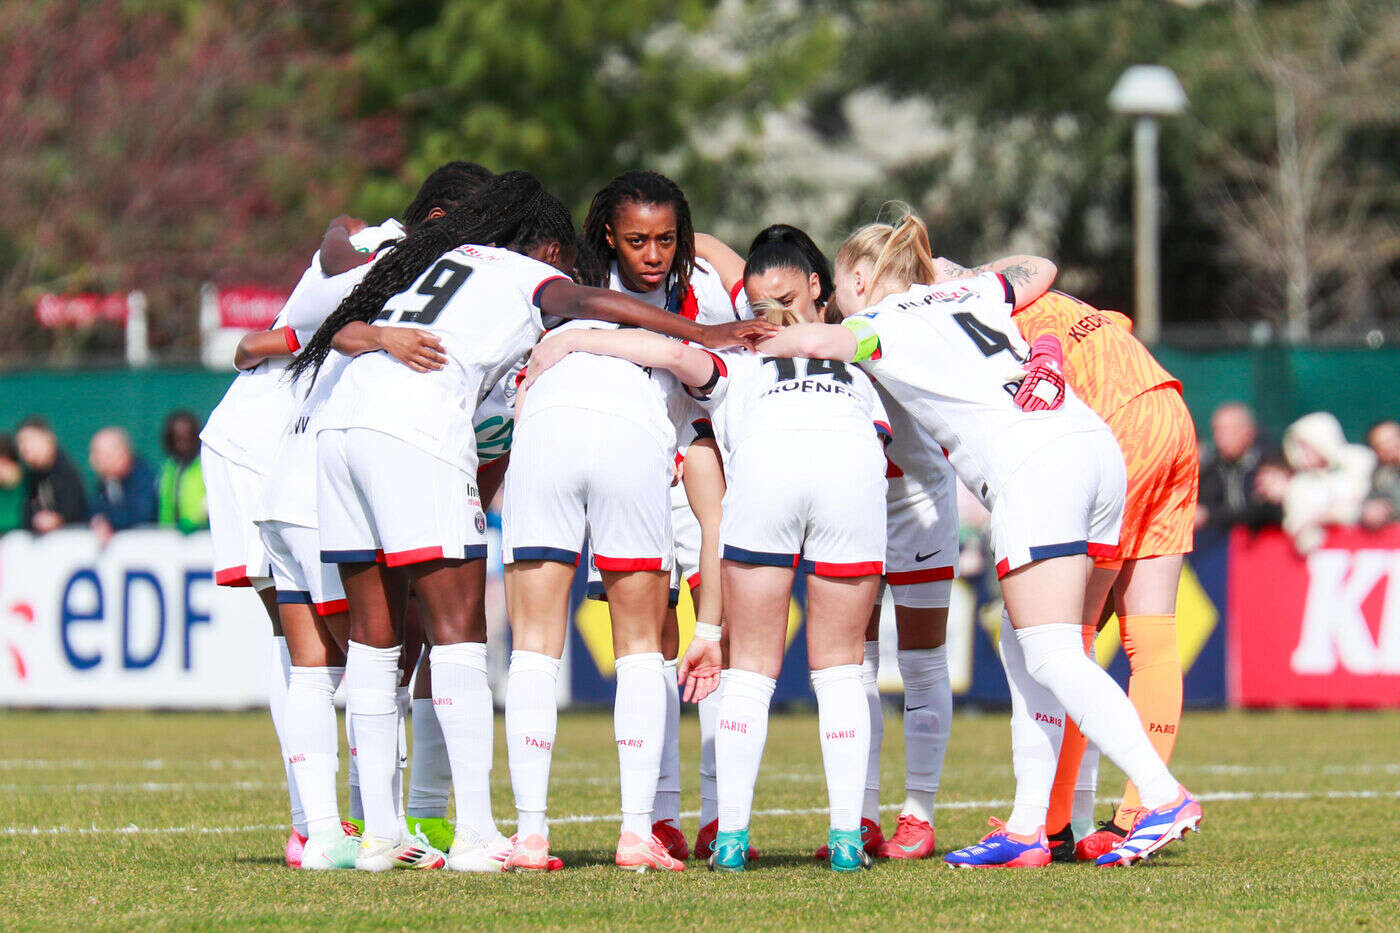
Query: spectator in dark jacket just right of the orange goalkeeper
[1230, 491]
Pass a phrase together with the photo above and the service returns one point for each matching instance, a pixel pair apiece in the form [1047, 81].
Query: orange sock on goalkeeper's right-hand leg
[1156, 690]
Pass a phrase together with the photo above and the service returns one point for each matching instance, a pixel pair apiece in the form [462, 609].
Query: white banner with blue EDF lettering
[136, 624]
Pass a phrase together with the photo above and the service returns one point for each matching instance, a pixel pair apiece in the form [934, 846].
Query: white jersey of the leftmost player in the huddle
[248, 422]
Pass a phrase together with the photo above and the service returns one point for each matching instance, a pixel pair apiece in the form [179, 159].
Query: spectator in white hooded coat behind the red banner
[1331, 478]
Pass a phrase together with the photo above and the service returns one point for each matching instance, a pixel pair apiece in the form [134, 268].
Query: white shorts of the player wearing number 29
[383, 498]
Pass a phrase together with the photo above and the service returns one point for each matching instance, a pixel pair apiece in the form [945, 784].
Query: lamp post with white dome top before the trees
[1147, 93]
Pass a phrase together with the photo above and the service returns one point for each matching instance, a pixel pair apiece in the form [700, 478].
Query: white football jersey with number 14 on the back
[761, 394]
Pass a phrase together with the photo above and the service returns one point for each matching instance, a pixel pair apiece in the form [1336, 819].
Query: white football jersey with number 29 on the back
[482, 305]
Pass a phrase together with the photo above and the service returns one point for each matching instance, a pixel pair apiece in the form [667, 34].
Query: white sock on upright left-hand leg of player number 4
[1037, 732]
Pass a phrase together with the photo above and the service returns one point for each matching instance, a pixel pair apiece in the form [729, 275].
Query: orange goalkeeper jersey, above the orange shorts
[1104, 364]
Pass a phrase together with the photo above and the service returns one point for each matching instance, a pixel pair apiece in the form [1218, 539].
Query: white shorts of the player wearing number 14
[807, 499]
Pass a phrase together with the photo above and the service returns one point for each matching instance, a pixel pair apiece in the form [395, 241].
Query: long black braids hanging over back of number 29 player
[512, 209]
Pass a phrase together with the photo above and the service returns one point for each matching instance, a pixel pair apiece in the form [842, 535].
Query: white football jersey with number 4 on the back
[950, 354]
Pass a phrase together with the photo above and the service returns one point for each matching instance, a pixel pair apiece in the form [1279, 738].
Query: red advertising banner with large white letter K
[1317, 631]
